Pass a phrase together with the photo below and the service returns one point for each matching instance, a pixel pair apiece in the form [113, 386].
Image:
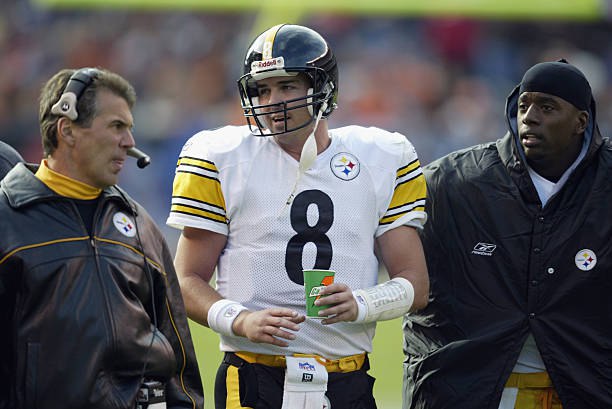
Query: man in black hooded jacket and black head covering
[519, 251]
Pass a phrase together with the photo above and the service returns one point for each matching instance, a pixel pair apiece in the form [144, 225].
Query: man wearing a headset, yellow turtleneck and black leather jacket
[90, 307]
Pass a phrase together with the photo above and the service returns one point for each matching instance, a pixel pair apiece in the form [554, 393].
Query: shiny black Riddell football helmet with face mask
[287, 50]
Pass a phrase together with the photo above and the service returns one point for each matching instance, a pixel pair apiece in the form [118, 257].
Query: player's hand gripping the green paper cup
[343, 306]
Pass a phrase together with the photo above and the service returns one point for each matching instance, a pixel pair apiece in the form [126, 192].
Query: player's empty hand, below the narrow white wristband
[269, 326]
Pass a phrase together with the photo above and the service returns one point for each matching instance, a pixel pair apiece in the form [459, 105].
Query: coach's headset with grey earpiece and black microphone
[66, 105]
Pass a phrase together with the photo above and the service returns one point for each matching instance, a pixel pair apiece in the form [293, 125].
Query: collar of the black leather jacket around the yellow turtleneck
[23, 188]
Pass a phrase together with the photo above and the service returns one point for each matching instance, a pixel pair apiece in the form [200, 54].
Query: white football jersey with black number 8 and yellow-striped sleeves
[234, 183]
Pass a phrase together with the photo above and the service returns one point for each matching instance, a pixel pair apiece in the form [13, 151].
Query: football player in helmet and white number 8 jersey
[261, 202]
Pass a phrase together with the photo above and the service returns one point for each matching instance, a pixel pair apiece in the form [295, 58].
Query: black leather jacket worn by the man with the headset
[81, 314]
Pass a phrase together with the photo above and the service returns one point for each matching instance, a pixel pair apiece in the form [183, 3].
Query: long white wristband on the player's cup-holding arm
[384, 301]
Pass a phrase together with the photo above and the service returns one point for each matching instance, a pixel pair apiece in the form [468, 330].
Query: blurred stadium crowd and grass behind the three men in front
[437, 71]
